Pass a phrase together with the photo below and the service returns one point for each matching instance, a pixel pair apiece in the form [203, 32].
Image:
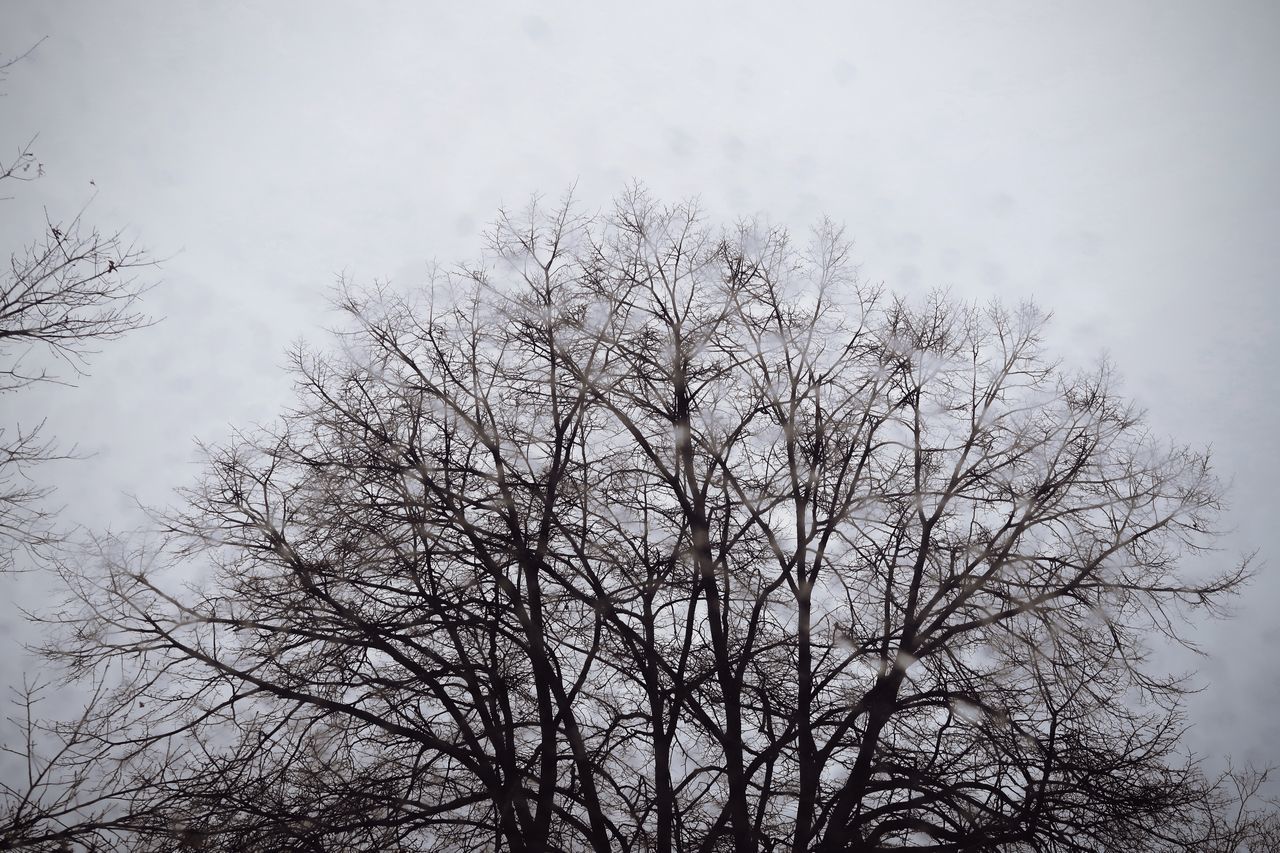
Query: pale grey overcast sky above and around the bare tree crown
[1117, 162]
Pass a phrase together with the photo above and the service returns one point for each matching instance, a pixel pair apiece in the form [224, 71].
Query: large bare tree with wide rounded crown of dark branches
[652, 537]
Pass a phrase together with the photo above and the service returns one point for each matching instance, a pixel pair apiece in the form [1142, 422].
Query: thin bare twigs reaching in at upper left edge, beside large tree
[60, 298]
